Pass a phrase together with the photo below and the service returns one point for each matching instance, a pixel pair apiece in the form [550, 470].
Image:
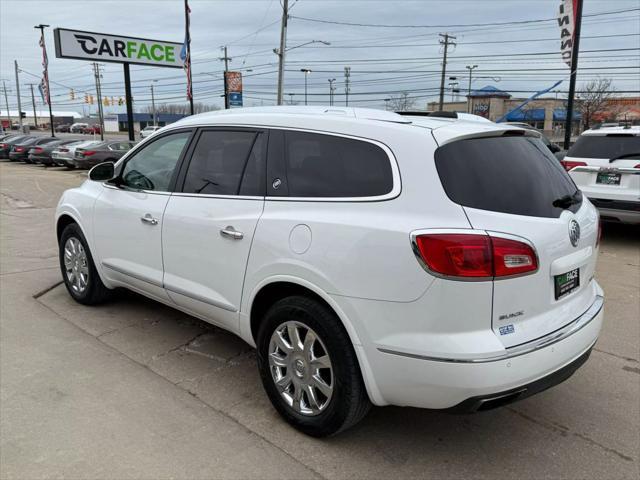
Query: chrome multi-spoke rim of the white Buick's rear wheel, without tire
[301, 368]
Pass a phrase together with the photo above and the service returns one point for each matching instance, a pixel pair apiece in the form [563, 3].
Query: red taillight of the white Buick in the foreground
[475, 256]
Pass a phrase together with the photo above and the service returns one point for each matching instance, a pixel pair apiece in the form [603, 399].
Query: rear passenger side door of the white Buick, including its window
[209, 224]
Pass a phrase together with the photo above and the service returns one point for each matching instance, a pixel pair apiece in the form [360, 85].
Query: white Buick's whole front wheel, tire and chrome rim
[78, 270]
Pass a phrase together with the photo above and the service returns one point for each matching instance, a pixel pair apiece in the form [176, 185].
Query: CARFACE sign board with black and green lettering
[102, 47]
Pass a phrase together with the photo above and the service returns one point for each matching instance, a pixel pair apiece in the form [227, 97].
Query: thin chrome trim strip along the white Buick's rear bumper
[545, 341]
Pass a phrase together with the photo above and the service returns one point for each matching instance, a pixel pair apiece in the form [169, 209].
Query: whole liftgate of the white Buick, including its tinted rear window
[512, 185]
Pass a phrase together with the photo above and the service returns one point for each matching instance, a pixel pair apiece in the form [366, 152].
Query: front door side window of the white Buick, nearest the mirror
[152, 167]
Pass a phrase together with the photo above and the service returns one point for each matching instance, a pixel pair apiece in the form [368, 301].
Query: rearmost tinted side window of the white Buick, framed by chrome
[329, 166]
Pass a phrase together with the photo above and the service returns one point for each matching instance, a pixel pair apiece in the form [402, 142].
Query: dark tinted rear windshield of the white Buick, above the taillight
[516, 175]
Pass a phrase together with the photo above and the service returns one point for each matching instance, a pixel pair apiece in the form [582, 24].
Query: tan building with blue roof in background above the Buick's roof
[547, 114]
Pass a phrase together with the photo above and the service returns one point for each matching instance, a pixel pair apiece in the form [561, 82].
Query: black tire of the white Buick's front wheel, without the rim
[95, 291]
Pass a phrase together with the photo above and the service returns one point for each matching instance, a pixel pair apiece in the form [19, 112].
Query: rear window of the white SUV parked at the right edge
[606, 146]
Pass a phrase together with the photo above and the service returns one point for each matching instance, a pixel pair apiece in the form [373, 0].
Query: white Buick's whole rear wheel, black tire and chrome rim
[309, 368]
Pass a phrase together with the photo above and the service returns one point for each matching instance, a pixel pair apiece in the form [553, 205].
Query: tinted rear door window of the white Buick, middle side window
[221, 159]
